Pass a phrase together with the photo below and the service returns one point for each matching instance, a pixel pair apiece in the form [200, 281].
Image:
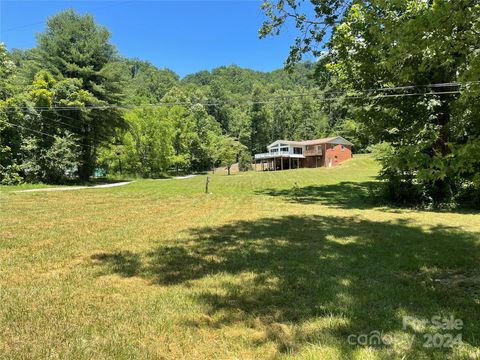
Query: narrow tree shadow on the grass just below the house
[347, 195]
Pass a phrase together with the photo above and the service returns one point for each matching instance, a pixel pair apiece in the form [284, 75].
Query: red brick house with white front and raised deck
[284, 154]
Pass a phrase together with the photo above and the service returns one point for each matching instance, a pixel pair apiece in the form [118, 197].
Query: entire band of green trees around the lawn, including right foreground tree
[400, 79]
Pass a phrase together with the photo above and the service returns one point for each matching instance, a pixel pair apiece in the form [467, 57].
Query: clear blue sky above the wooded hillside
[185, 36]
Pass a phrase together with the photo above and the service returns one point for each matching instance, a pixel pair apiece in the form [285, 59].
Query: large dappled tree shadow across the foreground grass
[322, 278]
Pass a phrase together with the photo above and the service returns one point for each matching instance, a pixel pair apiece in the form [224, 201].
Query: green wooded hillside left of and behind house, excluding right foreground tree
[73, 105]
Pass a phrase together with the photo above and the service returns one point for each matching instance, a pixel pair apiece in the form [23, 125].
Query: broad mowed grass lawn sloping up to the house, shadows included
[269, 265]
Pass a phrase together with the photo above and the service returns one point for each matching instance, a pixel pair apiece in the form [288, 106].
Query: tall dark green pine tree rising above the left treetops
[75, 47]
